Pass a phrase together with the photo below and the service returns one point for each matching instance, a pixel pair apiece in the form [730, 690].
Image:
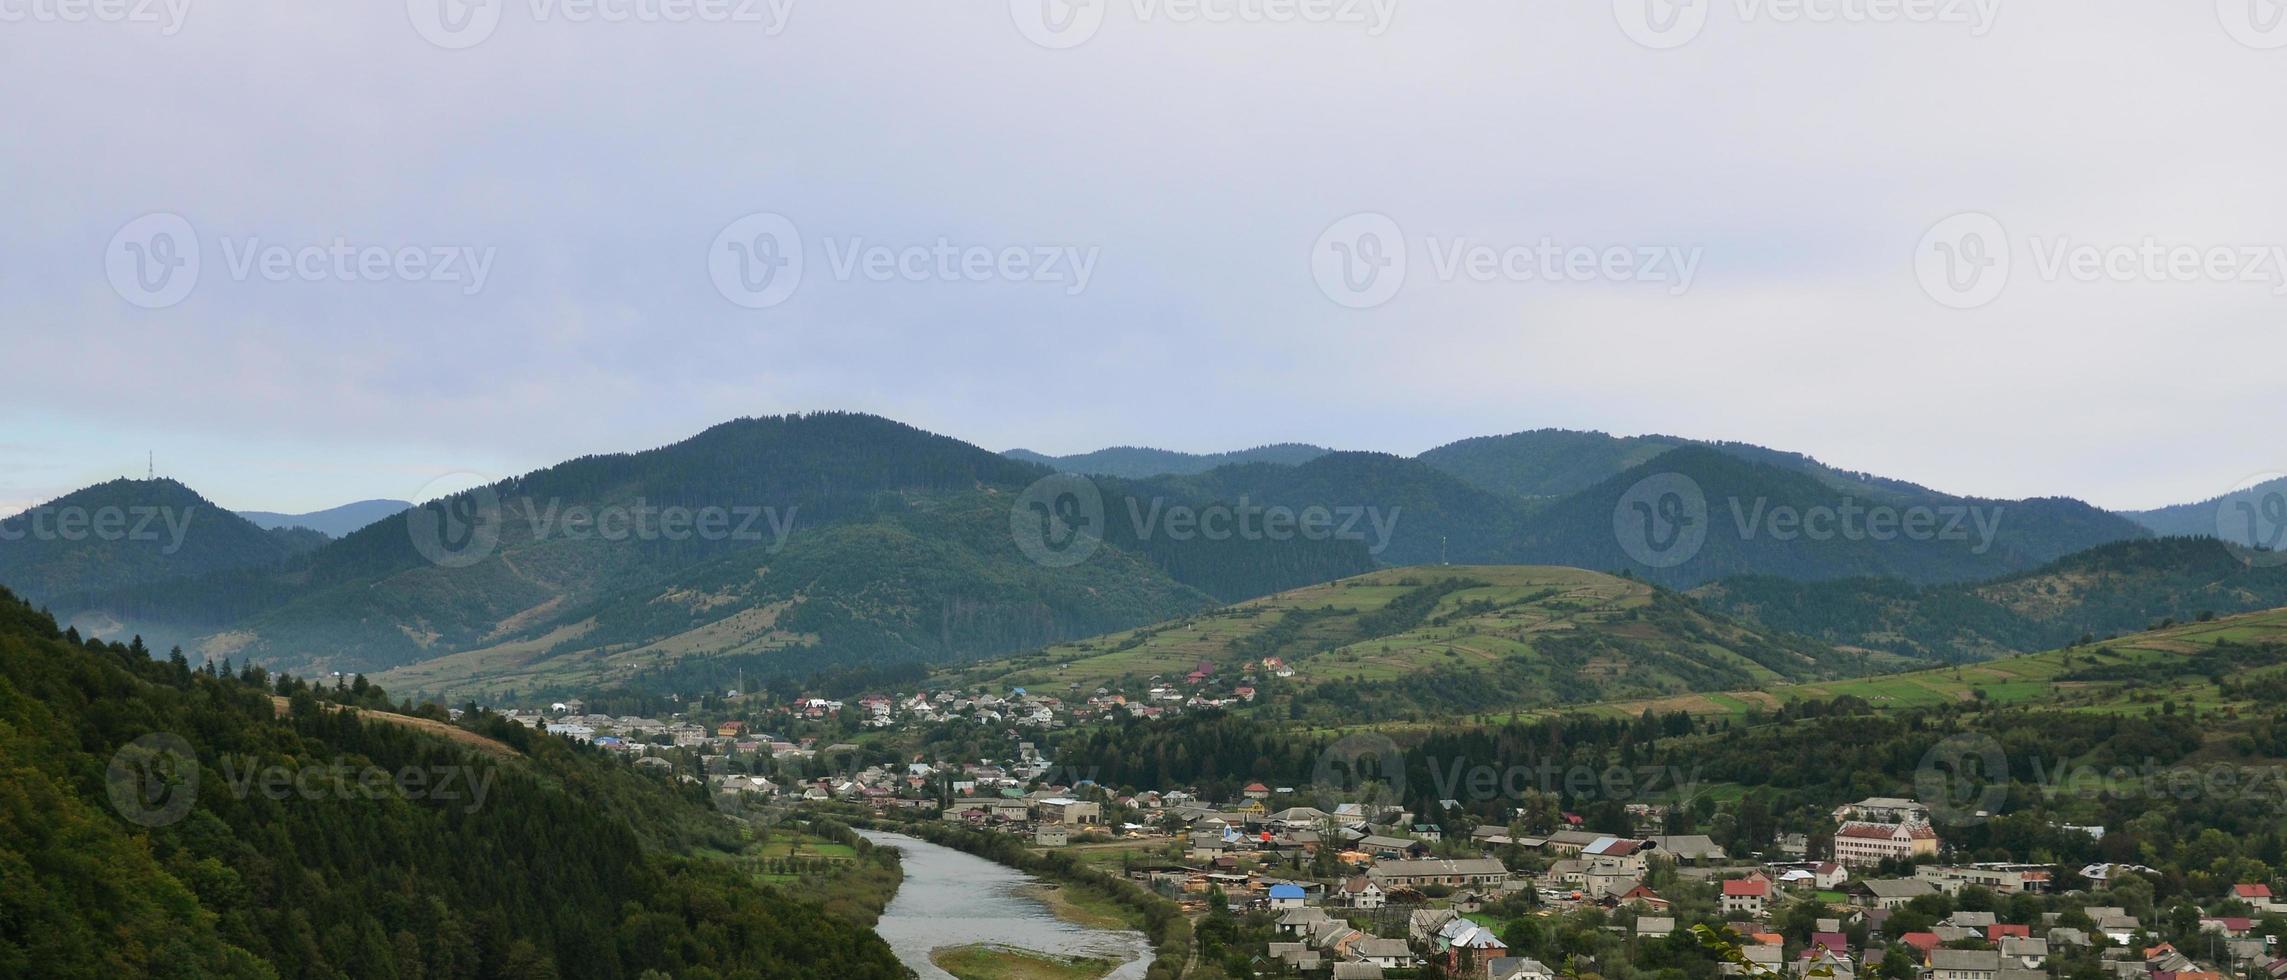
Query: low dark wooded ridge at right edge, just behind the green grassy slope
[2107, 591]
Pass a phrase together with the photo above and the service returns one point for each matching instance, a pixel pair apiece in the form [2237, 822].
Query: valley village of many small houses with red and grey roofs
[1362, 890]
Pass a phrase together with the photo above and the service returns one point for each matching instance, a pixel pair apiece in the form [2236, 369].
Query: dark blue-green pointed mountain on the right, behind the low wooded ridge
[1696, 515]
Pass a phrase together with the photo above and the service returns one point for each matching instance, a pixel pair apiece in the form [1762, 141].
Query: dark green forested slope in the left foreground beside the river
[138, 844]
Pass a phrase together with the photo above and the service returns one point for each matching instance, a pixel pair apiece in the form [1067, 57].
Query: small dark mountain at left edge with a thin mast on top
[132, 533]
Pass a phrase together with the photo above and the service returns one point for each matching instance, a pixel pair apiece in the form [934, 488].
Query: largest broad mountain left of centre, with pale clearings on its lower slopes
[763, 545]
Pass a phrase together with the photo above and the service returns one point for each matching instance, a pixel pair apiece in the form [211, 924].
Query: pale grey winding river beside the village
[955, 899]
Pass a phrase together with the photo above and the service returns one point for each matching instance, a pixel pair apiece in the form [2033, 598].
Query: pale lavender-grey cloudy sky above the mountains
[310, 255]
